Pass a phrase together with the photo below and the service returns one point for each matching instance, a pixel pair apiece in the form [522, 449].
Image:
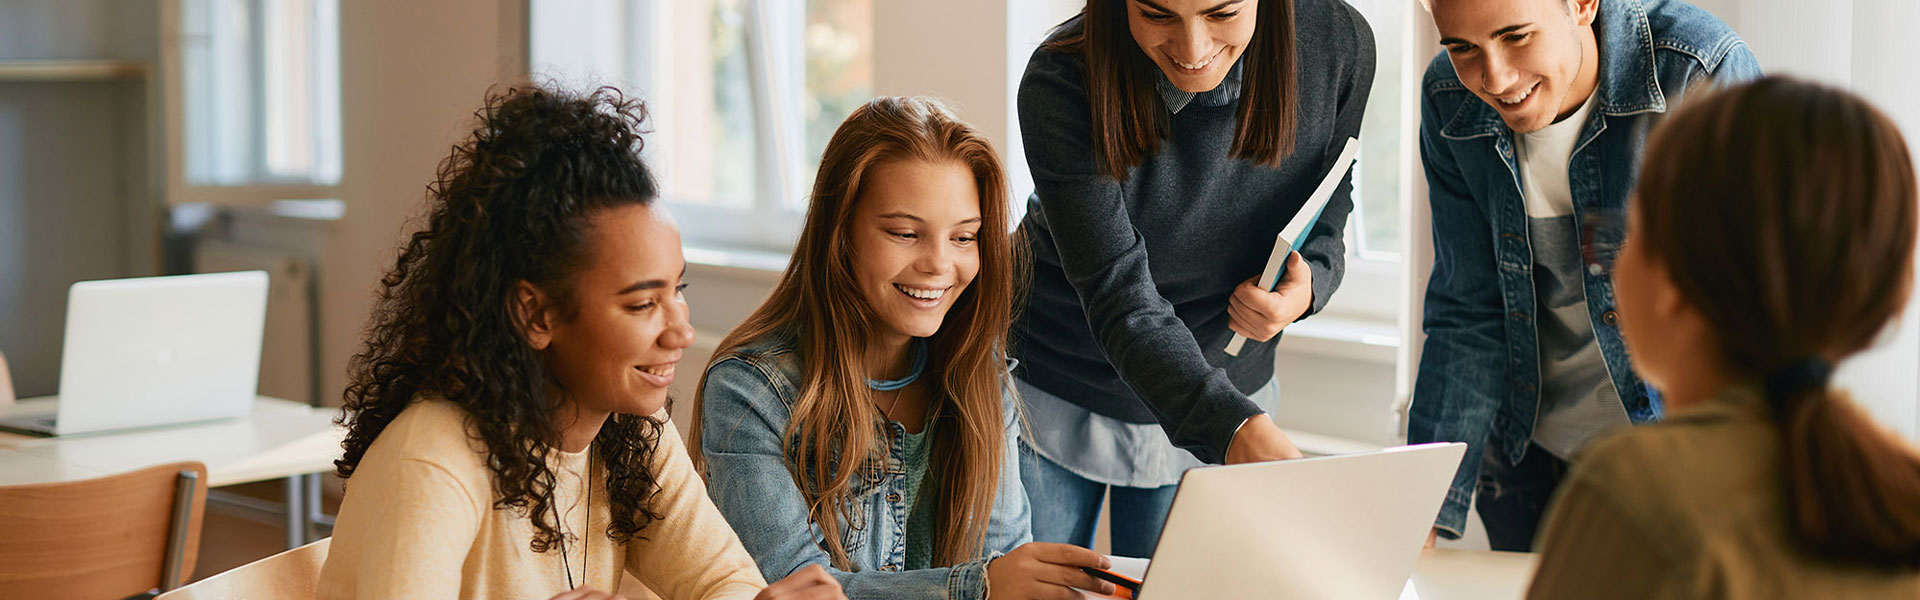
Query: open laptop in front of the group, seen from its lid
[1318, 528]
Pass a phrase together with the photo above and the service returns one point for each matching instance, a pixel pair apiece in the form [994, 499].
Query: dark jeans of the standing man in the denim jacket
[1514, 497]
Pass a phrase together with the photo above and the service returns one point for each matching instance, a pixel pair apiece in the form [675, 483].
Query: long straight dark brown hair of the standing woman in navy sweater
[1128, 116]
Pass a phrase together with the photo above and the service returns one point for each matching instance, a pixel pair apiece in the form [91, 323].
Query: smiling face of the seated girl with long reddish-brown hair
[915, 243]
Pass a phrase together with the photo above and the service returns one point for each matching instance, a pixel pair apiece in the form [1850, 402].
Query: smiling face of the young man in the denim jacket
[1531, 61]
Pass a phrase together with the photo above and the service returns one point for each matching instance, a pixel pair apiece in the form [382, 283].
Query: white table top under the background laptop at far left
[277, 439]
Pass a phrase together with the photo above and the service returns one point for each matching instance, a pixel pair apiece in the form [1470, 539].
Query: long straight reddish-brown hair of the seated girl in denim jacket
[817, 305]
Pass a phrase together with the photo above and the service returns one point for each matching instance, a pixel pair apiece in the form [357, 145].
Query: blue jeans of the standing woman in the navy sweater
[1067, 509]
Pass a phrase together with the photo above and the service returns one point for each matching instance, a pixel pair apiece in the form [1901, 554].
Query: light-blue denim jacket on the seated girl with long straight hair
[744, 418]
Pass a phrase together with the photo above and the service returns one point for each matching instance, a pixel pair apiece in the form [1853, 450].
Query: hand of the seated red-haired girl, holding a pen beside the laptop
[1045, 572]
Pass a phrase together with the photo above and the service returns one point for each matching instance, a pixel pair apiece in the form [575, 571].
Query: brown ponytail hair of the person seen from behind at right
[1785, 212]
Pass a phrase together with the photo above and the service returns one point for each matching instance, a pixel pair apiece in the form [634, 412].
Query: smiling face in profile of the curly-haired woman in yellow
[615, 347]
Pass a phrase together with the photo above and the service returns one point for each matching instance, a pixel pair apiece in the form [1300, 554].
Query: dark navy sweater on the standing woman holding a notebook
[1128, 311]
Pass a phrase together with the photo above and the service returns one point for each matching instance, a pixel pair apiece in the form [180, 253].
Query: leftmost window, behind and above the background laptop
[258, 95]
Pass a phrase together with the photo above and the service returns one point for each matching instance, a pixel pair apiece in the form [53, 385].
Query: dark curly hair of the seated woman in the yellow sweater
[514, 203]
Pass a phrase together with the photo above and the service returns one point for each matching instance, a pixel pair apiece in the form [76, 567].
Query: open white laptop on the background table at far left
[156, 351]
